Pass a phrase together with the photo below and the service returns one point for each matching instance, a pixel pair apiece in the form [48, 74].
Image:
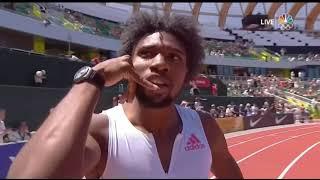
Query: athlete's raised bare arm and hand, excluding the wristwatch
[58, 148]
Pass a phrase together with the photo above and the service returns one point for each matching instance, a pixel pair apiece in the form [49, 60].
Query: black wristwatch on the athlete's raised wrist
[87, 74]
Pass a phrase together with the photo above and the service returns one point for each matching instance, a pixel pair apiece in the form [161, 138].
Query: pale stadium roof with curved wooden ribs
[229, 14]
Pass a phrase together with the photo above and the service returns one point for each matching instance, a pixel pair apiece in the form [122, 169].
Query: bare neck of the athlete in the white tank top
[152, 120]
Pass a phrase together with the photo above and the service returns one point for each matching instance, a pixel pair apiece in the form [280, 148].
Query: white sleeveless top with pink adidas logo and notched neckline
[133, 154]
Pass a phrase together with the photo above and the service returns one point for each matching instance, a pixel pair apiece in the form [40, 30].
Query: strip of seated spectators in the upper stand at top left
[75, 21]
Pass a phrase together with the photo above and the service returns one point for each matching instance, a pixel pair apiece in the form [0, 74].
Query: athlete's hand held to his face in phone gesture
[117, 69]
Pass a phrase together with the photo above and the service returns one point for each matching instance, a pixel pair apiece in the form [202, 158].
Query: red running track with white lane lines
[291, 152]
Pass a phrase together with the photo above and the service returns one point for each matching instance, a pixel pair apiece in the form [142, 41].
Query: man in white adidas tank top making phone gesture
[146, 137]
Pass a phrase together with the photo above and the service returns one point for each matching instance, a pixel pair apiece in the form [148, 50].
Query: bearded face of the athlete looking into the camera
[161, 59]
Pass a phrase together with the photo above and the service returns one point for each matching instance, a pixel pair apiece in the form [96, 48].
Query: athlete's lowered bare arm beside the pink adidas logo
[223, 164]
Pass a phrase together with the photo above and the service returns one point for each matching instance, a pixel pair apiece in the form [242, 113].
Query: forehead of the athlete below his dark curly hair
[161, 39]
